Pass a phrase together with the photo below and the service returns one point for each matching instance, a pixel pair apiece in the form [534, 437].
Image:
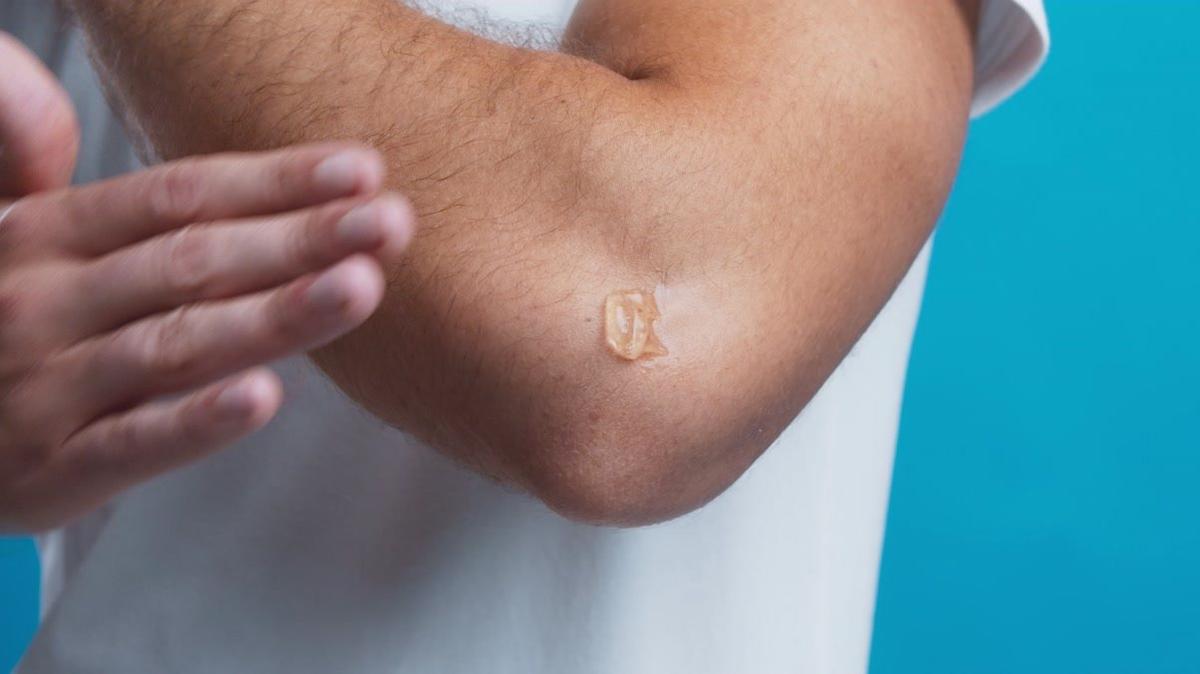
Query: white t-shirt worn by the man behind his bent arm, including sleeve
[331, 543]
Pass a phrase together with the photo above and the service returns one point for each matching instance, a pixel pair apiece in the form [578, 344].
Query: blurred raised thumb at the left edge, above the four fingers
[39, 130]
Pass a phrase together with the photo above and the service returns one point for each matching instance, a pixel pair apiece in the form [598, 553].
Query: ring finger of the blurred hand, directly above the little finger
[202, 344]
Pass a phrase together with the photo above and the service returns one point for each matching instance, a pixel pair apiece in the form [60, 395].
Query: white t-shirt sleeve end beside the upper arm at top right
[1012, 45]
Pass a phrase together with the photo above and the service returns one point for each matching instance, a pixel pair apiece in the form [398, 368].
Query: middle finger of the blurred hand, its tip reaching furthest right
[235, 258]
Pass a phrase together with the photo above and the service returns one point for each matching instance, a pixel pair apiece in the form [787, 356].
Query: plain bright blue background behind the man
[1045, 515]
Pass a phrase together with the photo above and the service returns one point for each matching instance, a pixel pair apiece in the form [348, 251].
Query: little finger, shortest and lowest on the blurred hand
[121, 452]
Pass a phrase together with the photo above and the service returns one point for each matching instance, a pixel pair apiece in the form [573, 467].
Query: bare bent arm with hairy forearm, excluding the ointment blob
[769, 168]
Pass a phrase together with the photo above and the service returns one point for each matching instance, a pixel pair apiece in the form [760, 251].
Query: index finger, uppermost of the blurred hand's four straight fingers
[106, 216]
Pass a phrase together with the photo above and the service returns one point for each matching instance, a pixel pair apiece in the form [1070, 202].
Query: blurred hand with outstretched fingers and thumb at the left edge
[136, 315]
